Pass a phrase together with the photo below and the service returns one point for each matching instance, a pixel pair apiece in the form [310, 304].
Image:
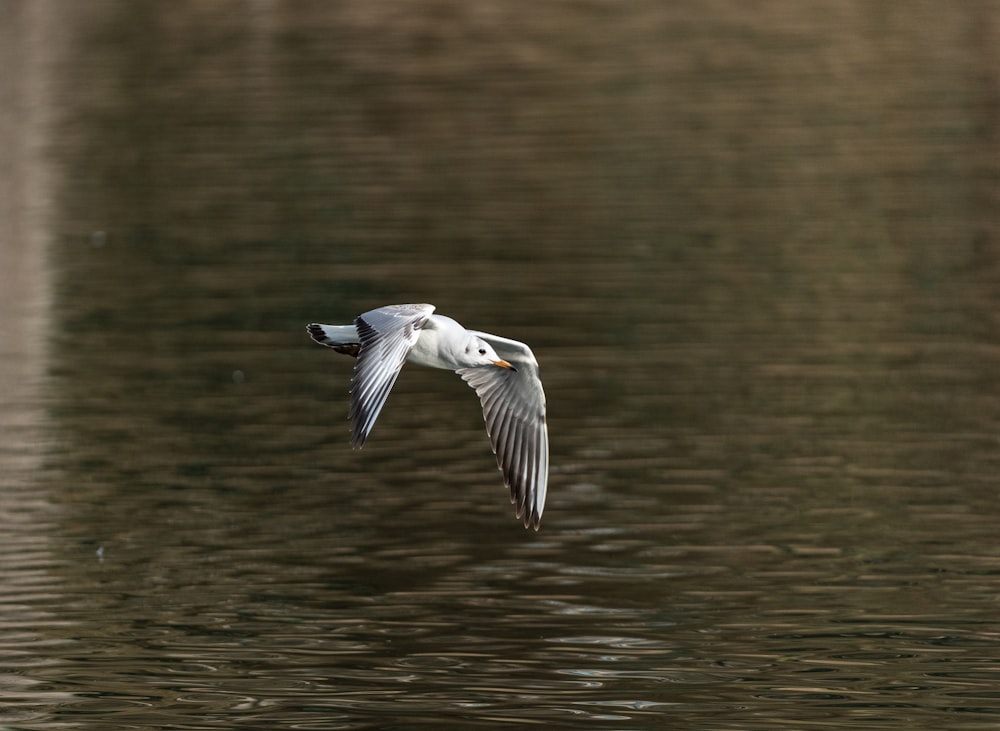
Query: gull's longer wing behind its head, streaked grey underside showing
[514, 410]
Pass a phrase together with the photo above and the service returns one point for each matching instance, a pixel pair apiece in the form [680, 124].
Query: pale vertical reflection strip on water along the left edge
[31, 625]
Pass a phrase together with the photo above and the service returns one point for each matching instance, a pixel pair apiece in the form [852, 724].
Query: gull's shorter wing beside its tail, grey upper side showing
[387, 335]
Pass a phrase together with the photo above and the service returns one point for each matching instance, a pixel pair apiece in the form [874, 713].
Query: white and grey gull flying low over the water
[503, 373]
